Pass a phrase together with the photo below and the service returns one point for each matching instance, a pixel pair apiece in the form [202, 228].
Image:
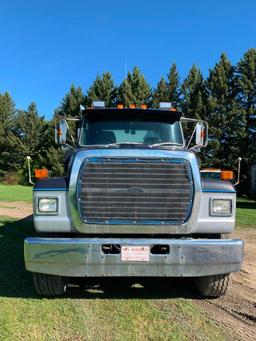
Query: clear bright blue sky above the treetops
[47, 45]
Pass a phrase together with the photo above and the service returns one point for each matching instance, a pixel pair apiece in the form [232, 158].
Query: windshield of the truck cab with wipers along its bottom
[106, 132]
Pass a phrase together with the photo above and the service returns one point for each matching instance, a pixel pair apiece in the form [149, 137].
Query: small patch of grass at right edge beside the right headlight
[246, 213]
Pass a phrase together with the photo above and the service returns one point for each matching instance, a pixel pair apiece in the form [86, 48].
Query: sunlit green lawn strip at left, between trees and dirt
[15, 193]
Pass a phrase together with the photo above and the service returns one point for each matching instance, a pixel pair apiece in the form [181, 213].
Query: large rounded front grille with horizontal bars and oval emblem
[135, 191]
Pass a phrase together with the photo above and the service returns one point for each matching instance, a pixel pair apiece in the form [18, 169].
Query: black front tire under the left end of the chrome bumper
[48, 285]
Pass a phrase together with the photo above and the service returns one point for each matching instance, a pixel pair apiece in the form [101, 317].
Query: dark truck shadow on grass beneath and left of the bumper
[15, 281]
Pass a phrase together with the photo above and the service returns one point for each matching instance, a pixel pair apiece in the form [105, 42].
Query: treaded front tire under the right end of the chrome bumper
[212, 286]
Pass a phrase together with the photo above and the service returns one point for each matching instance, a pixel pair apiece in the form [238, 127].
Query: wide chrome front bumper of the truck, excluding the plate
[83, 257]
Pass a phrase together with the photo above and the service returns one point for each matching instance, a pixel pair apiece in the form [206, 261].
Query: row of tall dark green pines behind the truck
[226, 99]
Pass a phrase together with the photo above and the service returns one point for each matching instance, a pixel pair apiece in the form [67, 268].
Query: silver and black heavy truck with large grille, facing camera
[133, 205]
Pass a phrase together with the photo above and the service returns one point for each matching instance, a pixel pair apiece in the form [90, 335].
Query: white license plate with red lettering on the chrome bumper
[135, 253]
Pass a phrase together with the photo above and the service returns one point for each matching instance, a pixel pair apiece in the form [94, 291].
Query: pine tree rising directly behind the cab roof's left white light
[102, 89]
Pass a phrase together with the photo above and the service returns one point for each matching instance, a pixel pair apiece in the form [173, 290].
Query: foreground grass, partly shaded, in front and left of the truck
[159, 311]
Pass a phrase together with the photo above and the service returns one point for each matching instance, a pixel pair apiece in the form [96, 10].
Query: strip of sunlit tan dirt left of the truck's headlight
[15, 209]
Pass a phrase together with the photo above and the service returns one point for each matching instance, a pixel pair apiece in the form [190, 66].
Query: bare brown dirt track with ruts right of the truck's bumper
[236, 311]
